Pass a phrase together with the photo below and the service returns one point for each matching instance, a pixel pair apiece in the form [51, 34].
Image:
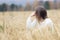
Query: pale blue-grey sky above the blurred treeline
[18, 2]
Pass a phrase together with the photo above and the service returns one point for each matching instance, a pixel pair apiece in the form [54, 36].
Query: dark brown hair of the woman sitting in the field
[41, 13]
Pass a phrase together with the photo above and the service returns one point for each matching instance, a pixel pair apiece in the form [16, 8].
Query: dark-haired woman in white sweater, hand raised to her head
[41, 19]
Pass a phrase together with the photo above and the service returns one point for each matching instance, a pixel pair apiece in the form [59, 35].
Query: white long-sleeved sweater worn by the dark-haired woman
[46, 23]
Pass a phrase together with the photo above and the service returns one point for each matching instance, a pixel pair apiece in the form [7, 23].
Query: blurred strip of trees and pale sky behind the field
[27, 5]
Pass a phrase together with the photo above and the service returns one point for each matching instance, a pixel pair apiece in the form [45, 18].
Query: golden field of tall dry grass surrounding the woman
[14, 25]
